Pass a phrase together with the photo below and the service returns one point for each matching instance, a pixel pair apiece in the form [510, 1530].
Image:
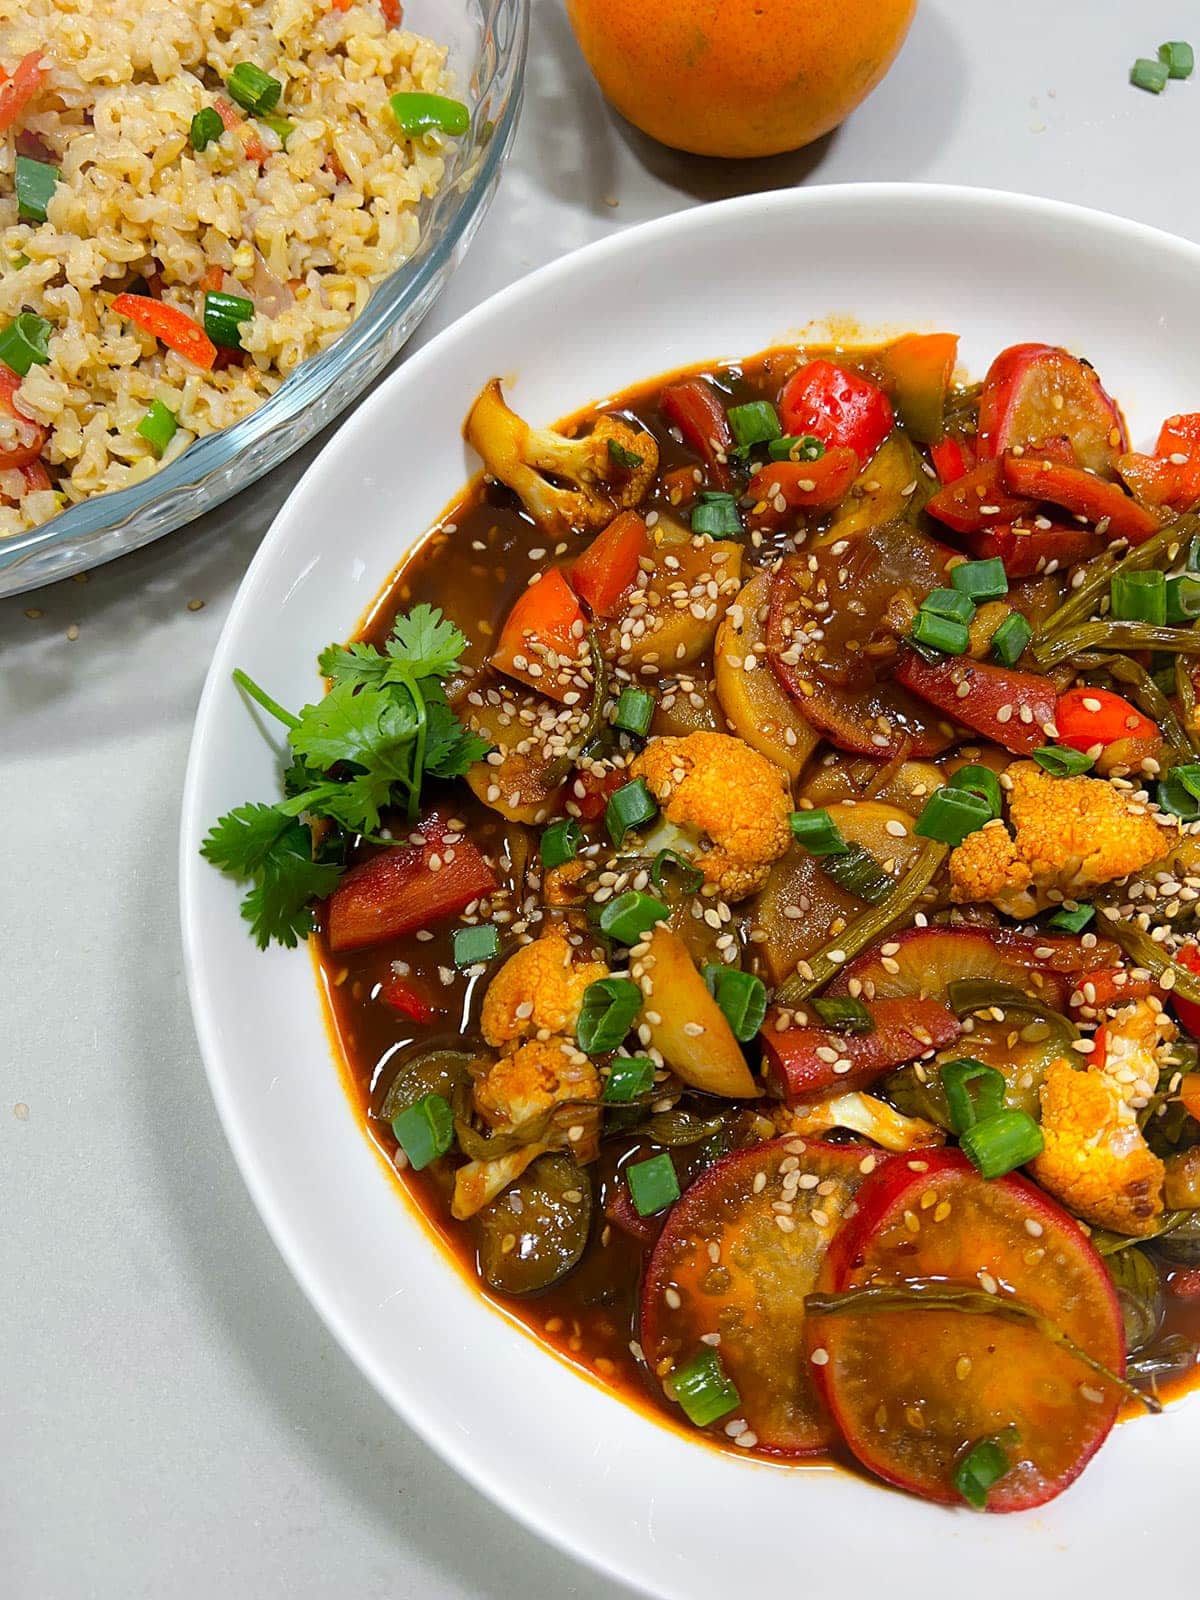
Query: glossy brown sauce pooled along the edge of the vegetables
[473, 566]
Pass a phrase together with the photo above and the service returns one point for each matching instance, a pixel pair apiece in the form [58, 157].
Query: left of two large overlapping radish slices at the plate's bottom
[754, 1292]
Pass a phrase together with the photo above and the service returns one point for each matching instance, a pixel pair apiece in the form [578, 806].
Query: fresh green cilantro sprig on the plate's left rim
[364, 750]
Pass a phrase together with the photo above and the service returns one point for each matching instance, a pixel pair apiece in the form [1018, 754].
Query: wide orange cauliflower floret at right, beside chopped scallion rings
[1073, 834]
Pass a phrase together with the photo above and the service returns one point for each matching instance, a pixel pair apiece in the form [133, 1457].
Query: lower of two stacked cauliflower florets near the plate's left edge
[522, 1090]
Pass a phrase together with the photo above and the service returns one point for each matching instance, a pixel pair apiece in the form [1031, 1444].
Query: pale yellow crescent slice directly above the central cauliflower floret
[754, 705]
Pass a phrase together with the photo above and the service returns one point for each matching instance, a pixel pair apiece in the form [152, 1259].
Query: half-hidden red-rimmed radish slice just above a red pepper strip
[926, 961]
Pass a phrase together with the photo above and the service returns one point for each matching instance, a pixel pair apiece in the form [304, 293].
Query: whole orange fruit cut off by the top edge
[738, 78]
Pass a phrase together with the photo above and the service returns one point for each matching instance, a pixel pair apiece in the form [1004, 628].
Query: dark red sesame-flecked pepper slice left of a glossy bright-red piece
[1010, 708]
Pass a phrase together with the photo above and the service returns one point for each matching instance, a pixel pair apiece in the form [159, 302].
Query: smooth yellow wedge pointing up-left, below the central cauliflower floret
[692, 1033]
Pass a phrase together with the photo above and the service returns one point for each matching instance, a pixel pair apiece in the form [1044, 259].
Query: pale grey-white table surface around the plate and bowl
[174, 1417]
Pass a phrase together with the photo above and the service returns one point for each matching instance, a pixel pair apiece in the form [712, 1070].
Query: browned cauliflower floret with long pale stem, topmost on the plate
[610, 470]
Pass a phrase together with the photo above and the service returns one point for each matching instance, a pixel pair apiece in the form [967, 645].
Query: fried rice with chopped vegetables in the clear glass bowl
[305, 233]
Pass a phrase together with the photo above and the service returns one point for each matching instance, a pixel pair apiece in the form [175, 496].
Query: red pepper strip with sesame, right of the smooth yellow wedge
[809, 1062]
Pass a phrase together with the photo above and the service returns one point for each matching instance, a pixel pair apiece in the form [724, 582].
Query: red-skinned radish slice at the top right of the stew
[1034, 391]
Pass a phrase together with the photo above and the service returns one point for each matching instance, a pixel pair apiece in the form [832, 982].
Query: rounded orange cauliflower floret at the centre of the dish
[716, 786]
